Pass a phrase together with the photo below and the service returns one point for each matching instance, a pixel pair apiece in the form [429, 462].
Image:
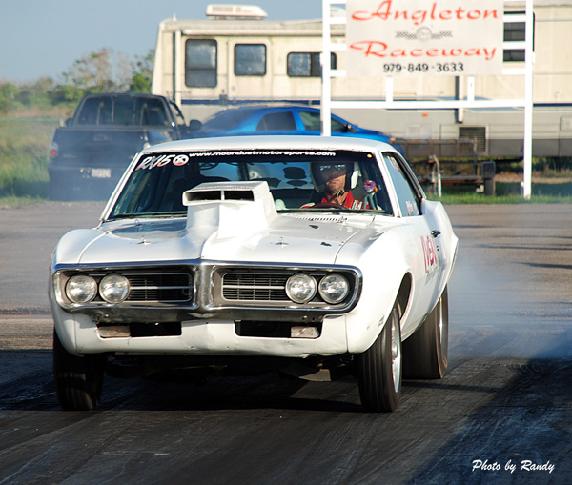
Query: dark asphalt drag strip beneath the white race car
[502, 414]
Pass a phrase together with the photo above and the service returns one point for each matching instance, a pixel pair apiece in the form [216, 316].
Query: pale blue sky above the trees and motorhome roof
[43, 37]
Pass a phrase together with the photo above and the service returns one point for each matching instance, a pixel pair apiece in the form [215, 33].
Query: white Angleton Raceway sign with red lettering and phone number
[390, 37]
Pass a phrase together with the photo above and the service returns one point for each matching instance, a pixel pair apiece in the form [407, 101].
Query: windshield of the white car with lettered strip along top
[310, 180]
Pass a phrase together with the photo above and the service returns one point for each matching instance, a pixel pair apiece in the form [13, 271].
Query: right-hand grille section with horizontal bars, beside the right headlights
[255, 286]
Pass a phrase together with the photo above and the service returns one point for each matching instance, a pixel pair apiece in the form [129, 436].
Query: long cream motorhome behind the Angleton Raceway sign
[237, 56]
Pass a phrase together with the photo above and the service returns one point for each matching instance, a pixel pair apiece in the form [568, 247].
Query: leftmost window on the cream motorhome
[200, 63]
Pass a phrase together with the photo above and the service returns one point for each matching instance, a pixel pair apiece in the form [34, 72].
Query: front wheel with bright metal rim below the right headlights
[379, 369]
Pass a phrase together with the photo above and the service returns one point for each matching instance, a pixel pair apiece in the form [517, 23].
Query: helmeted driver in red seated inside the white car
[333, 186]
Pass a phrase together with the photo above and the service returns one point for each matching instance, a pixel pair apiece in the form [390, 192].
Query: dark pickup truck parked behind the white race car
[89, 154]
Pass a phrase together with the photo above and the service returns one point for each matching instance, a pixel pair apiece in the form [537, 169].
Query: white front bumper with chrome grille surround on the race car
[208, 326]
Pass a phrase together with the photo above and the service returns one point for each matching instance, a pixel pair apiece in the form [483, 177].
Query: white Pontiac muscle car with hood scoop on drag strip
[296, 252]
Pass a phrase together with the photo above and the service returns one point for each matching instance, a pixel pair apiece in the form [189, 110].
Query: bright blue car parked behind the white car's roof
[296, 120]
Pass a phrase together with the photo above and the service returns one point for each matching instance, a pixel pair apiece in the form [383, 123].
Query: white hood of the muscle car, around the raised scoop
[301, 238]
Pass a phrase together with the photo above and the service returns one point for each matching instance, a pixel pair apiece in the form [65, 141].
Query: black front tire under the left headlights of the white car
[78, 380]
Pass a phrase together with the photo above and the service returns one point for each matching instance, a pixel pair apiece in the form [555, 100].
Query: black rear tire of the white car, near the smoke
[425, 352]
